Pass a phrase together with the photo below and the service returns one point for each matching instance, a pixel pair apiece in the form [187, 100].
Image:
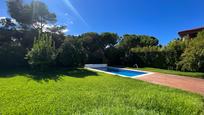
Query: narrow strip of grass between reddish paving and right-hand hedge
[190, 74]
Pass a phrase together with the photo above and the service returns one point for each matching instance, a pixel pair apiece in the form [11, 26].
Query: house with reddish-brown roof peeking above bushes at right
[190, 33]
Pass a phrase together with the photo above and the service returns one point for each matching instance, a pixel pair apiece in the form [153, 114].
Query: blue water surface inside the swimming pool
[120, 71]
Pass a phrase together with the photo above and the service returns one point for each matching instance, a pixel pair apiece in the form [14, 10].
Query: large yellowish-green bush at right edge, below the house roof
[193, 57]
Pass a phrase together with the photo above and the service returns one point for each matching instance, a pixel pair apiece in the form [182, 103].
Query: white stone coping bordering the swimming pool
[146, 72]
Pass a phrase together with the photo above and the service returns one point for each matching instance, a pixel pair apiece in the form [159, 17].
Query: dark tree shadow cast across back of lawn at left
[51, 74]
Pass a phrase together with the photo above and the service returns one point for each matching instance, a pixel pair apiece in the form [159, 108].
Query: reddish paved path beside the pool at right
[185, 83]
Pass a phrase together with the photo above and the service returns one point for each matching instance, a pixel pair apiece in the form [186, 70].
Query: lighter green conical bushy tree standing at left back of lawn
[43, 52]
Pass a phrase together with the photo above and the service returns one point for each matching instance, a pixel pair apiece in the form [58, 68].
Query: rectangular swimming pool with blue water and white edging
[120, 71]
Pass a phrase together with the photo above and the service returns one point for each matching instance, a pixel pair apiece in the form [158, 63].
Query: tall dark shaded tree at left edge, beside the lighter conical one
[11, 50]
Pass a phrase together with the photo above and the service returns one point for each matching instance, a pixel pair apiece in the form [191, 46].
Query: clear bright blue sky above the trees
[162, 19]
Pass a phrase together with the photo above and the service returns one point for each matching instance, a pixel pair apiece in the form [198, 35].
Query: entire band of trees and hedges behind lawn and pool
[18, 32]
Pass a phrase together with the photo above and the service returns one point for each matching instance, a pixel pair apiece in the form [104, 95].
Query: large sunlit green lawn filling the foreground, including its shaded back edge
[79, 91]
